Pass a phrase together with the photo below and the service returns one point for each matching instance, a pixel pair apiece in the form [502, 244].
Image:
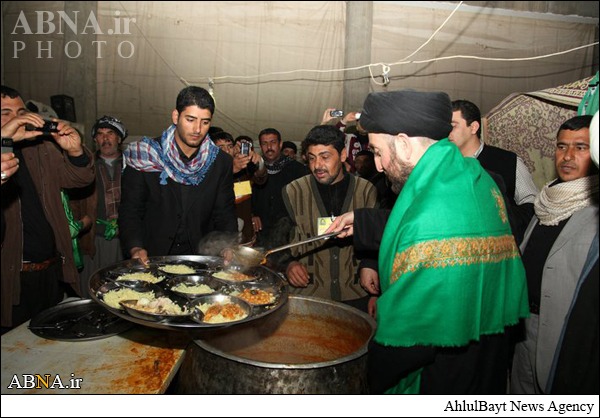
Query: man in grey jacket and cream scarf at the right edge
[554, 250]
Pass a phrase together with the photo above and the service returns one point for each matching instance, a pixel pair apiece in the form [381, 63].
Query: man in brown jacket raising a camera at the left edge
[36, 251]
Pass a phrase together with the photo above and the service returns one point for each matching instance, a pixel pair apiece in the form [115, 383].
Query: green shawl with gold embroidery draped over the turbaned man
[450, 269]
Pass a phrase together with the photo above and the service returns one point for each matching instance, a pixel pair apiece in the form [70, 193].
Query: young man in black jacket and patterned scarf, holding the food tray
[178, 187]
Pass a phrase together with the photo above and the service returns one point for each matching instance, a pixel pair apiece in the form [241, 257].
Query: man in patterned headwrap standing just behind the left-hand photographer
[96, 207]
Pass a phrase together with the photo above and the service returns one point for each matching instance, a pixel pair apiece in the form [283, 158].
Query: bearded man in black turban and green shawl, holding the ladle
[451, 276]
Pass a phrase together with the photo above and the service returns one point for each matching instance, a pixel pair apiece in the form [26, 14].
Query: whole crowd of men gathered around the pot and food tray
[475, 278]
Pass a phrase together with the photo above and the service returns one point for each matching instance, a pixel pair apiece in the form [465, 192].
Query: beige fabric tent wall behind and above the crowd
[136, 75]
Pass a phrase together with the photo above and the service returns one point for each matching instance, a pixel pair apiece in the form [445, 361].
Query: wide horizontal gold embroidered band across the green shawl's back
[454, 252]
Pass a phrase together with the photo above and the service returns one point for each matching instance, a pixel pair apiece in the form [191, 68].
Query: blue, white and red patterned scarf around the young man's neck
[149, 155]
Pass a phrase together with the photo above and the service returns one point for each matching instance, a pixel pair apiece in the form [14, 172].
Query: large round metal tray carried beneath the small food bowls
[105, 279]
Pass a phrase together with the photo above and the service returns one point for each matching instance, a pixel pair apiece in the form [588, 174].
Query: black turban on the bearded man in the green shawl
[411, 112]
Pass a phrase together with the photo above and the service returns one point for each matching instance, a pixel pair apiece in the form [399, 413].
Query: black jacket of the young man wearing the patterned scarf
[150, 213]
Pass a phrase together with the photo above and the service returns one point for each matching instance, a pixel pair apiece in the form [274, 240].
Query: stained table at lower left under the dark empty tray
[140, 360]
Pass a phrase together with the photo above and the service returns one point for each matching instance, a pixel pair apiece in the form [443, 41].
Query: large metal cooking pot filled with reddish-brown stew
[311, 346]
